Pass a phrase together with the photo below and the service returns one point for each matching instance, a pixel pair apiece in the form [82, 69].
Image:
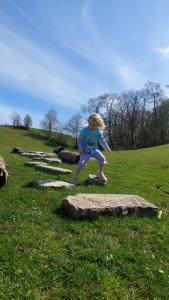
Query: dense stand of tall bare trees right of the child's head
[134, 119]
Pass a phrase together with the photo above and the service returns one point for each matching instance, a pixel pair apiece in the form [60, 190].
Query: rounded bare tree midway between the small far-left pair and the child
[50, 121]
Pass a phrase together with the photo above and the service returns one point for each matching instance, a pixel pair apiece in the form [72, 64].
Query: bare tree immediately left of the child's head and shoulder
[73, 125]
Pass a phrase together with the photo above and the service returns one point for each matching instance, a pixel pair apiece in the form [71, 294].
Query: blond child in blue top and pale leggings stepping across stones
[88, 146]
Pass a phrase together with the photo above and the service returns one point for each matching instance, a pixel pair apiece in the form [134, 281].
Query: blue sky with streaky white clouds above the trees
[59, 53]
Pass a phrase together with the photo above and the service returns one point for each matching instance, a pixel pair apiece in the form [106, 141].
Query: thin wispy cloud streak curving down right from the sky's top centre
[103, 55]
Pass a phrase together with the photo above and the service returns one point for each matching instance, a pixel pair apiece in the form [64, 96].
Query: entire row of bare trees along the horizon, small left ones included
[134, 119]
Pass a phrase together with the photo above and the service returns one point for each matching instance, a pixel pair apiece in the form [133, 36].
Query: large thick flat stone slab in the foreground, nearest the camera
[91, 205]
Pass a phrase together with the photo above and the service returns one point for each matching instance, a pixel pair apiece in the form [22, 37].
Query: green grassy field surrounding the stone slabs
[46, 256]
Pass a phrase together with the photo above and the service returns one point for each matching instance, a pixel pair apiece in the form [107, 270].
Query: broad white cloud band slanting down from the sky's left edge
[28, 67]
